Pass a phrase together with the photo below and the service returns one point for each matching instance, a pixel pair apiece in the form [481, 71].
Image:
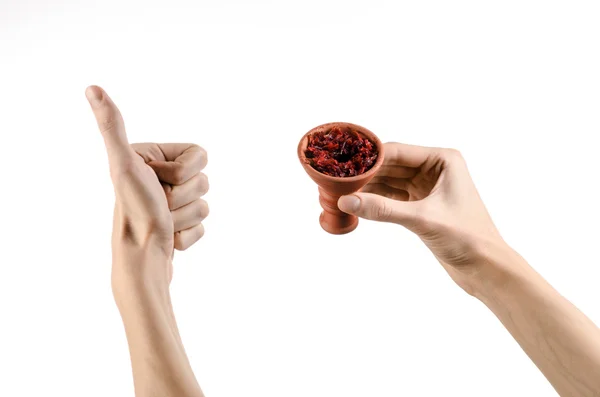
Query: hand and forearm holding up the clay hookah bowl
[430, 192]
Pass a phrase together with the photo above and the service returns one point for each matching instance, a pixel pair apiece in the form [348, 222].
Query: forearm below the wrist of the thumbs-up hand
[159, 362]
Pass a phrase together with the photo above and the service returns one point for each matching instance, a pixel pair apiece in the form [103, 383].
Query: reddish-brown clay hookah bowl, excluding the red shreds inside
[331, 188]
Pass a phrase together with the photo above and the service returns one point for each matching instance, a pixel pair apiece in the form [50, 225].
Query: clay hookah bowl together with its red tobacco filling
[341, 158]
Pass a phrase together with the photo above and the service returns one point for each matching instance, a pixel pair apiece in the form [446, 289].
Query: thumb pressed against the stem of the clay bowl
[378, 208]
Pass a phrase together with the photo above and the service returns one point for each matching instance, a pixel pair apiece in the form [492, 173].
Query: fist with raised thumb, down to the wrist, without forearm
[157, 189]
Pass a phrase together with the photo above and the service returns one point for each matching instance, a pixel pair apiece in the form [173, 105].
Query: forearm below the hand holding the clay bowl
[561, 340]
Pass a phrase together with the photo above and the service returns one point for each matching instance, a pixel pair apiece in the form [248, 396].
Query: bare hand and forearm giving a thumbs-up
[157, 209]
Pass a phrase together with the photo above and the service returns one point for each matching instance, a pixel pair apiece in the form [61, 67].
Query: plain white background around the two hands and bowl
[268, 304]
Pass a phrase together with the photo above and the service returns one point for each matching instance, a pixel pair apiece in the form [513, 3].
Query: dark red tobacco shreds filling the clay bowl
[340, 152]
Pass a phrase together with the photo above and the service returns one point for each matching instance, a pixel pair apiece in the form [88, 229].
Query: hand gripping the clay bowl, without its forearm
[430, 192]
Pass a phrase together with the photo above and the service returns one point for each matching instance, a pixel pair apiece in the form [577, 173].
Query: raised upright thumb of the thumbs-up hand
[110, 122]
